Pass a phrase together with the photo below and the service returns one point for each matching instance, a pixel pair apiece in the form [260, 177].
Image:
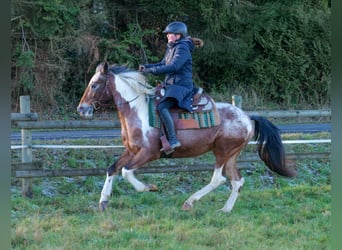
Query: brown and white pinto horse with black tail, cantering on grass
[129, 90]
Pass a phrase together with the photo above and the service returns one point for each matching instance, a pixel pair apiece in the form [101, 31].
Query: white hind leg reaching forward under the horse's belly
[216, 181]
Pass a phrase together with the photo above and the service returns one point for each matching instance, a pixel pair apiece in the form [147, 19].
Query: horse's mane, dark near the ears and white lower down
[133, 78]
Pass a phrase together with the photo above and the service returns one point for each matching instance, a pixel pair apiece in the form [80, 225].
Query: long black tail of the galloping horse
[270, 147]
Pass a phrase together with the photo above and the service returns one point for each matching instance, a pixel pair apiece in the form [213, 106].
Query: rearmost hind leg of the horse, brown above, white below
[236, 182]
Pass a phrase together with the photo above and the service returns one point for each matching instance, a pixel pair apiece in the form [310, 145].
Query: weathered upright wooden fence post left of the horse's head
[26, 152]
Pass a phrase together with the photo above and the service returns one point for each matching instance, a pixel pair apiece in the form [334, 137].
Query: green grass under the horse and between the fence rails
[270, 213]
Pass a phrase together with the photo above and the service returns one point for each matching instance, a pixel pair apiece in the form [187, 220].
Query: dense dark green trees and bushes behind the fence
[277, 51]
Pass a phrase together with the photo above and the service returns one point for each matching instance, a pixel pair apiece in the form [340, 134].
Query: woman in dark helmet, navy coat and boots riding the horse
[177, 67]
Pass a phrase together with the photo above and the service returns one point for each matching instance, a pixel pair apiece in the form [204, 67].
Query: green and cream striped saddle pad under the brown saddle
[205, 119]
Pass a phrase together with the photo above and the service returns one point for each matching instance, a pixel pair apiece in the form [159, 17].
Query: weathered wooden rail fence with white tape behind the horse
[27, 121]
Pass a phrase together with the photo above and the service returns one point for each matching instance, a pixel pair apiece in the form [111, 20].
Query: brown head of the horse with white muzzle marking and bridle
[98, 92]
